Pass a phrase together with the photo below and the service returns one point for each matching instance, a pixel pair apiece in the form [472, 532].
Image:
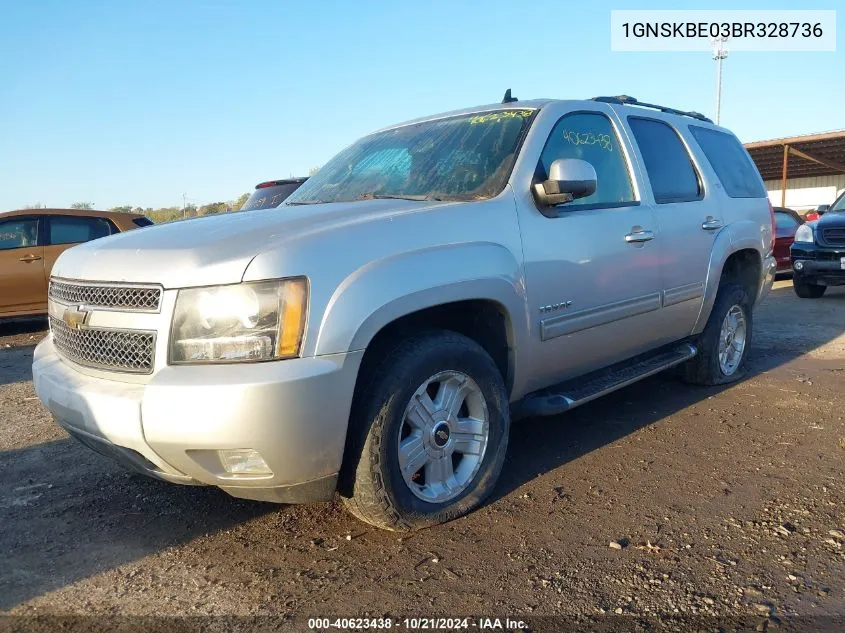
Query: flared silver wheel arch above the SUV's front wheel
[384, 290]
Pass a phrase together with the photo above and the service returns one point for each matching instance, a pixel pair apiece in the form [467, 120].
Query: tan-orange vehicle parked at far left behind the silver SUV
[32, 239]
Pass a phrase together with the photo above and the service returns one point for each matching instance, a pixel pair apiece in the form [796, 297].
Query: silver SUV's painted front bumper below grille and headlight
[293, 412]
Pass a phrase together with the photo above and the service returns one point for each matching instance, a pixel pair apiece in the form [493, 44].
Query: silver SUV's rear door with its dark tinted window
[688, 217]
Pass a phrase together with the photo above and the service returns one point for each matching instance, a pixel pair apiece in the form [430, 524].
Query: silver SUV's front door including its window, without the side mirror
[593, 271]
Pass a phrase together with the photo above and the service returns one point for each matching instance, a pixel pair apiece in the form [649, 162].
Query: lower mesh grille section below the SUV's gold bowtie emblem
[131, 351]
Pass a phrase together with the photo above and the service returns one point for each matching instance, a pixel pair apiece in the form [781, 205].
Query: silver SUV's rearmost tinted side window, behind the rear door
[731, 162]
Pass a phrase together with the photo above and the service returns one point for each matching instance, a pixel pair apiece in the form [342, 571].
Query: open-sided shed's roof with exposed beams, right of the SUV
[810, 155]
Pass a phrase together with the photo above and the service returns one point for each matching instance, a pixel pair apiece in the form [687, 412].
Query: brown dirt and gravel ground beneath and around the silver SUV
[724, 501]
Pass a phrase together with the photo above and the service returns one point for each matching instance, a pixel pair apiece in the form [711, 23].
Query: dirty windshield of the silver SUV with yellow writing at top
[467, 157]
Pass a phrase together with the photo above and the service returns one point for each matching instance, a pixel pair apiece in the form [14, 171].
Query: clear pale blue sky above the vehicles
[136, 103]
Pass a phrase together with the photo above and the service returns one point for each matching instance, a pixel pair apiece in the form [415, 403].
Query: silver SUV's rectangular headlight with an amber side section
[245, 322]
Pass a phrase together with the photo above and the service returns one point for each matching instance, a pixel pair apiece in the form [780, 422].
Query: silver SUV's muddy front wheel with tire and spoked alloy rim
[430, 434]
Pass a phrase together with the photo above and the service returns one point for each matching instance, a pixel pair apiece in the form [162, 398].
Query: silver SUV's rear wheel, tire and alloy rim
[715, 364]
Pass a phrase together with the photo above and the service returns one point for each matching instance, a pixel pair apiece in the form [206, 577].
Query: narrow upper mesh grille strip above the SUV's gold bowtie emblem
[107, 296]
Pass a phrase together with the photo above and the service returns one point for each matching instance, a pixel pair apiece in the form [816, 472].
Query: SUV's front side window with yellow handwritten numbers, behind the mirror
[590, 136]
